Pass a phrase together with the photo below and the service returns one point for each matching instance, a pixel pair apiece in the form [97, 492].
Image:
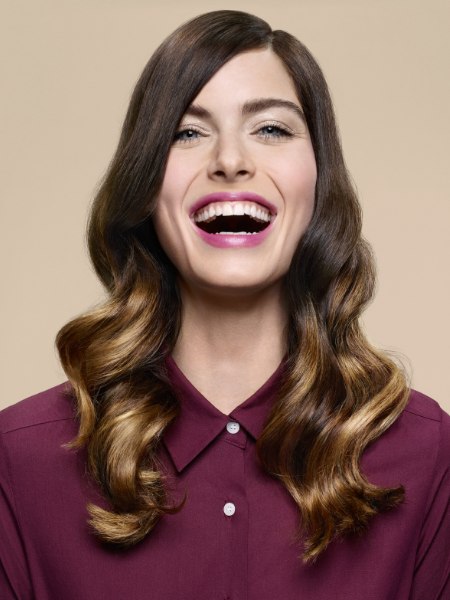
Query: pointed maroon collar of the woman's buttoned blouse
[199, 422]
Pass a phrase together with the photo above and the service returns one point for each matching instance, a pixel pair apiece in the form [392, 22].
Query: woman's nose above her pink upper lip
[230, 161]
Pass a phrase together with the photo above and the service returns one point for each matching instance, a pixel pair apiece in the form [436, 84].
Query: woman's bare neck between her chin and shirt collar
[228, 347]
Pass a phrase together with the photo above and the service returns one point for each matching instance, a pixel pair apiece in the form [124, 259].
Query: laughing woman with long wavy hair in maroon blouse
[236, 436]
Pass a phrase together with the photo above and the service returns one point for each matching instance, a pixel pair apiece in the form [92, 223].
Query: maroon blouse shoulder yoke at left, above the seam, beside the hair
[50, 406]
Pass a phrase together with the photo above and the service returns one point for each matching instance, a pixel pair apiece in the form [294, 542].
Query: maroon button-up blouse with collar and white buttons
[234, 537]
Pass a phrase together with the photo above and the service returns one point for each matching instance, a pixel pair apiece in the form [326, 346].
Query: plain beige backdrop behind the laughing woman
[67, 70]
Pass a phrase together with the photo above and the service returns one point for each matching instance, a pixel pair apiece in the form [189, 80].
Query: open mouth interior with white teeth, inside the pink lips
[233, 218]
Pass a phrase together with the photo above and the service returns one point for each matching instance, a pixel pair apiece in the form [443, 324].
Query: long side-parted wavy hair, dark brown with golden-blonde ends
[338, 394]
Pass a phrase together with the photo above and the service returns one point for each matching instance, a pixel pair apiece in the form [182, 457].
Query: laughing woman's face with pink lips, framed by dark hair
[238, 191]
